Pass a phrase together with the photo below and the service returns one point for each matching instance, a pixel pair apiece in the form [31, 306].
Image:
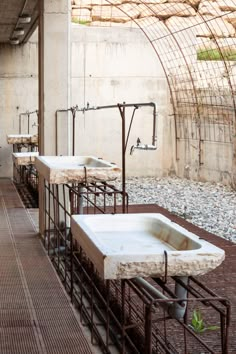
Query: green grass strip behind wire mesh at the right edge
[216, 54]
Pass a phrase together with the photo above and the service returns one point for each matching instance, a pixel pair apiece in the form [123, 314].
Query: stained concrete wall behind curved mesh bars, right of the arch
[205, 126]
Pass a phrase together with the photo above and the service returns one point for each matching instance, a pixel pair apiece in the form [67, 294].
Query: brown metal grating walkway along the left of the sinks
[35, 312]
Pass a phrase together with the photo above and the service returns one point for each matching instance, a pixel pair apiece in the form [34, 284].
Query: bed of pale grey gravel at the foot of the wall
[210, 206]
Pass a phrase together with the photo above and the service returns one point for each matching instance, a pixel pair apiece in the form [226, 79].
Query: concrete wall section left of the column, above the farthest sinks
[19, 92]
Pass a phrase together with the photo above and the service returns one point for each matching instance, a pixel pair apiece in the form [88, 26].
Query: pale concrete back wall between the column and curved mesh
[115, 66]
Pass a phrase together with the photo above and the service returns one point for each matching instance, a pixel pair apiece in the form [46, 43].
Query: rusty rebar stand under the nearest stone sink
[125, 315]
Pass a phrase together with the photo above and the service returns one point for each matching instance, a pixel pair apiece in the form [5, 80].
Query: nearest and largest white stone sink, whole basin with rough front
[133, 245]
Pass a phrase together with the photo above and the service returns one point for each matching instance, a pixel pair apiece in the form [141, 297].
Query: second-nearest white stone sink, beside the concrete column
[68, 169]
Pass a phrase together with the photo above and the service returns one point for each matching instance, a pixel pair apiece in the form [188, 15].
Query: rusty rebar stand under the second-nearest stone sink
[61, 202]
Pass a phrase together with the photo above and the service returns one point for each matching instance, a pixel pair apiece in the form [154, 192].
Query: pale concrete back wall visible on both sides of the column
[99, 84]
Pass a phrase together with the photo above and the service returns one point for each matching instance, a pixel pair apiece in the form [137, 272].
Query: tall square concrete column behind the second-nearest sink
[54, 78]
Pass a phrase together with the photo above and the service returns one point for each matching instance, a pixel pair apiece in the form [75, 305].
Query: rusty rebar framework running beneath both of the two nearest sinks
[121, 313]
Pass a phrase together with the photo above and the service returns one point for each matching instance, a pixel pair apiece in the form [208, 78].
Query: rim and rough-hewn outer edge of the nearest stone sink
[117, 266]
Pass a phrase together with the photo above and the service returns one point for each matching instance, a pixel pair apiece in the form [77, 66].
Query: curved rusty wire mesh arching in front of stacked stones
[195, 42]
